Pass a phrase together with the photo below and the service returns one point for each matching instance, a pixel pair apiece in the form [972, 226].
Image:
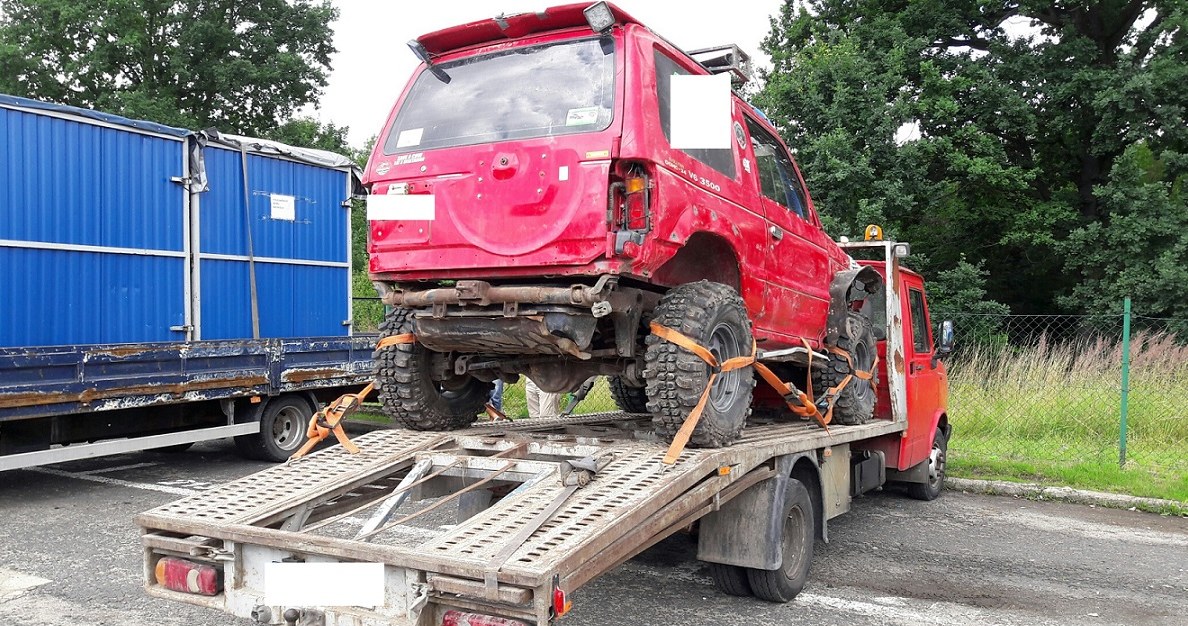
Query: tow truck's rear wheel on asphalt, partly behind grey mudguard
[785, 584]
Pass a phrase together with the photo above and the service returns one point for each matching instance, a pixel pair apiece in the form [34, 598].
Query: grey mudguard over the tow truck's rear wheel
[749, 530]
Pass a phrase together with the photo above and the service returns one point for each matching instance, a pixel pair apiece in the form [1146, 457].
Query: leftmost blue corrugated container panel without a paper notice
[92, 233]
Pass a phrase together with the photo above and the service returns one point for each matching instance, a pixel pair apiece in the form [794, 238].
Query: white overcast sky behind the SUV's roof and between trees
[374, 62]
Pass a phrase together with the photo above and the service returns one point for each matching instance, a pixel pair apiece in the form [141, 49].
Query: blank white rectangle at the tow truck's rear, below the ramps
[324, 585]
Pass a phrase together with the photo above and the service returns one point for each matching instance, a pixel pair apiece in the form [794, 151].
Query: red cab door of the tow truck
[926, 380]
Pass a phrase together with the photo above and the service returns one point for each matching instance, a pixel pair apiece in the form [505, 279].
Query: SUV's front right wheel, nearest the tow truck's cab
[856, 402]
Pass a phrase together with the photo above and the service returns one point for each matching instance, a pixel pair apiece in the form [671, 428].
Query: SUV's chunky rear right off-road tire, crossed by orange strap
[713, 315]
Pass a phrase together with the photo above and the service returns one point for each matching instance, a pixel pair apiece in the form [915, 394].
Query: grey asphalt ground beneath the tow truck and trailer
[71, 557]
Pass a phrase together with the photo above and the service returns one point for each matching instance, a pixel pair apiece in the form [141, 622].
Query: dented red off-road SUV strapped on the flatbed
[530, 217]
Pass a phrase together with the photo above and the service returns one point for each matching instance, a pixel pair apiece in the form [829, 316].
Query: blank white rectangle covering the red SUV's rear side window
[700, 112]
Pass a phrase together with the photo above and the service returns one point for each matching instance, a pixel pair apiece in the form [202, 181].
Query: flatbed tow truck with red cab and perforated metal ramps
[547, 505]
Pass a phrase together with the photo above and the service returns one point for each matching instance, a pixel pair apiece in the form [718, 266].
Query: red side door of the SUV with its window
[798, 265]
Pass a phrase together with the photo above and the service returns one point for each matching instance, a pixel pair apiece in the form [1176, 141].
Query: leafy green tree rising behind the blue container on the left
[238, 66]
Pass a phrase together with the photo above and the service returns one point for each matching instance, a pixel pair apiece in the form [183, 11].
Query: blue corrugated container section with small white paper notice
[307, 299]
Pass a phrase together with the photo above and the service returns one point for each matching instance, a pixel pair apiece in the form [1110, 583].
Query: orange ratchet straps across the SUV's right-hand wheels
[802, 407]
